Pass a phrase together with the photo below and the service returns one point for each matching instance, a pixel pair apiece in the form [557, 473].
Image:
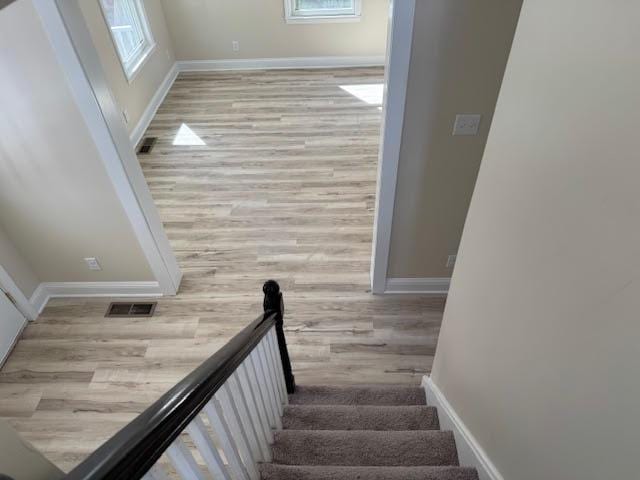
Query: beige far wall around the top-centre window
[204, 30]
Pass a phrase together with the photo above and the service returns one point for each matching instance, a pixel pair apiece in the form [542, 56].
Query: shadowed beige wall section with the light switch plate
[458, 56]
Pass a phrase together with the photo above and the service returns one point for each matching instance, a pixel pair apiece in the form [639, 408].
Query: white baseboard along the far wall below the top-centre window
[279, 63]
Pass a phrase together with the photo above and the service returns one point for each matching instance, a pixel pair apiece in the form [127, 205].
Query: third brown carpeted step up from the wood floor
[364, 447]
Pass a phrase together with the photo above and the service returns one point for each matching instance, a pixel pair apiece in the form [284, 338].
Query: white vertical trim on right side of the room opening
[400, 39]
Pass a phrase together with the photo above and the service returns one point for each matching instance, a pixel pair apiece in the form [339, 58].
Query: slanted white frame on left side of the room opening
[77, 55]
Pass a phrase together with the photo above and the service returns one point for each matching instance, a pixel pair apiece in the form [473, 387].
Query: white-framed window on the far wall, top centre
[311, 11]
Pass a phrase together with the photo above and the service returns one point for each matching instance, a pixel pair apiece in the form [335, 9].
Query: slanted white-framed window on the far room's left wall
[130, 32]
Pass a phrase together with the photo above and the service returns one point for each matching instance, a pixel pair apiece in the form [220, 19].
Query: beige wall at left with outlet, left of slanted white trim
[57, 204]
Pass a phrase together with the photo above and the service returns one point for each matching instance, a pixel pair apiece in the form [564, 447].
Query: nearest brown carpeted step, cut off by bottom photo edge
[270, 471]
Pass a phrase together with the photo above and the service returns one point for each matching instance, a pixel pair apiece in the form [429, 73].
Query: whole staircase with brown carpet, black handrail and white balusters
[241, 416]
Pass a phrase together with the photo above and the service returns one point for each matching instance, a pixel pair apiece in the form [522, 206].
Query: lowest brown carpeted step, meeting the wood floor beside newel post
[380, 394]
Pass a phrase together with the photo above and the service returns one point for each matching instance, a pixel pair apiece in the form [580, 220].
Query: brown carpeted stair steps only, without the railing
[371, 432]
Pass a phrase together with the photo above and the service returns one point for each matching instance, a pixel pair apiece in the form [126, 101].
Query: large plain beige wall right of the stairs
[539, 352]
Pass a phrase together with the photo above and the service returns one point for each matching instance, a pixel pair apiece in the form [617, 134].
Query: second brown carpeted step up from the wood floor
[360, 417]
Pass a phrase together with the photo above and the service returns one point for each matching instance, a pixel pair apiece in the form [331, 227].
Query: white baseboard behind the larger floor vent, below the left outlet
[48, 290]
